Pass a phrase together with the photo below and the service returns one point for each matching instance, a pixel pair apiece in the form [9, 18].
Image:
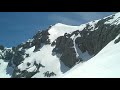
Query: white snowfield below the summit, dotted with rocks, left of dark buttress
[44, 57]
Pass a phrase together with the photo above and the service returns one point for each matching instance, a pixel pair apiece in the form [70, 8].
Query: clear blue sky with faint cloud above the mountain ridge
[17, 27]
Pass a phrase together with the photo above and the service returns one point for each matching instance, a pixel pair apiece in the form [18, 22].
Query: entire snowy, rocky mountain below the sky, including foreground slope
[88, 50]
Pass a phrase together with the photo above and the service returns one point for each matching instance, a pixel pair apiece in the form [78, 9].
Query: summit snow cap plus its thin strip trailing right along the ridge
[60, 29]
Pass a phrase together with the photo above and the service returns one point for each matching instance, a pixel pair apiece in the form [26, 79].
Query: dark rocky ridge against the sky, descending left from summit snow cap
[42, 37]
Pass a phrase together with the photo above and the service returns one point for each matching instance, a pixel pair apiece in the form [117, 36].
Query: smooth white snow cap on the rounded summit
[60, 29]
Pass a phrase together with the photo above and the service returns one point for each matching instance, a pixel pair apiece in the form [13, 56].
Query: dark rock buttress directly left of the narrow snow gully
[64, 48]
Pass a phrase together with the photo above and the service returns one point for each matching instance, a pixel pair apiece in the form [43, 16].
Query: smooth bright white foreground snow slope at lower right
[105, 64]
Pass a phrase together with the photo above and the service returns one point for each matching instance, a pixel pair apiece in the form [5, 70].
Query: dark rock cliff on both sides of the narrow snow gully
[90, 40]
